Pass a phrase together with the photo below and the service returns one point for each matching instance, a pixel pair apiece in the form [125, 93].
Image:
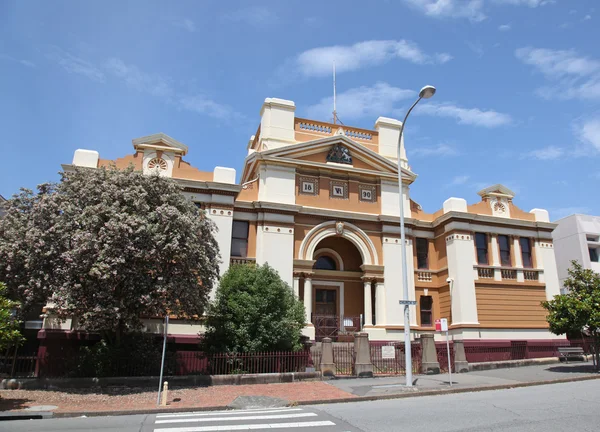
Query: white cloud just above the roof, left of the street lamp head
[361, 102]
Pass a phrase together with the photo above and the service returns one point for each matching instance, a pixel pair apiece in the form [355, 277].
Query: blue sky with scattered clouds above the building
[518, 82]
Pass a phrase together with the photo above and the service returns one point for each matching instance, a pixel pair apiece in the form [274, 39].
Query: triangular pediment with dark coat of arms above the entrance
[337, 151]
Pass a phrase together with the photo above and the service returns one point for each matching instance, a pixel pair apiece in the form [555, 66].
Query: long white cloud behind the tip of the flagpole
[319, 61]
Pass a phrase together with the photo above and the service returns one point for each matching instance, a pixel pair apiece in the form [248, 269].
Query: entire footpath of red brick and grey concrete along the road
[127, 400]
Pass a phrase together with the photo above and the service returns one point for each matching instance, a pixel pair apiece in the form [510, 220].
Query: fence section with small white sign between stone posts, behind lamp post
[384, 365]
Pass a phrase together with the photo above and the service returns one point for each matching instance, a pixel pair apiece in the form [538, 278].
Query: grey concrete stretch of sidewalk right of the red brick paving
[479, 380]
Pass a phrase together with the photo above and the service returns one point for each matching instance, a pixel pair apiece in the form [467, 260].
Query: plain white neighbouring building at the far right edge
[577, 237]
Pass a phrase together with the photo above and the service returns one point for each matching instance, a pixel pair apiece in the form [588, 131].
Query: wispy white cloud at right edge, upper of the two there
[575, 76]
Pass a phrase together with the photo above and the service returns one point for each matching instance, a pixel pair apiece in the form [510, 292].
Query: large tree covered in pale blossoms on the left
[108, 247]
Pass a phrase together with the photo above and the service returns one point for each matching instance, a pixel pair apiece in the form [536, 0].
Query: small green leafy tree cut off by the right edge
[577, 311]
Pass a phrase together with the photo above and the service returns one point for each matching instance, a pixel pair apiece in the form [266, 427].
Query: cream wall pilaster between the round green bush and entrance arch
[275, 246]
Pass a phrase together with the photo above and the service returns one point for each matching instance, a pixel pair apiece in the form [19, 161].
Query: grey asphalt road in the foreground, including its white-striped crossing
[556, 407]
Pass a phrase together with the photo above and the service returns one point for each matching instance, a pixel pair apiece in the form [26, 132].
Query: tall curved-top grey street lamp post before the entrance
[425, 93]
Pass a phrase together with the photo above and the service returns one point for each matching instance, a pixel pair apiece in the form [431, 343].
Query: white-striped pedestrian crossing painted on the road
[250, 419]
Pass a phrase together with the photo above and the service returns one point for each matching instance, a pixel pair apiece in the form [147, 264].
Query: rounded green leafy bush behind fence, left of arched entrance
[254, 310]
